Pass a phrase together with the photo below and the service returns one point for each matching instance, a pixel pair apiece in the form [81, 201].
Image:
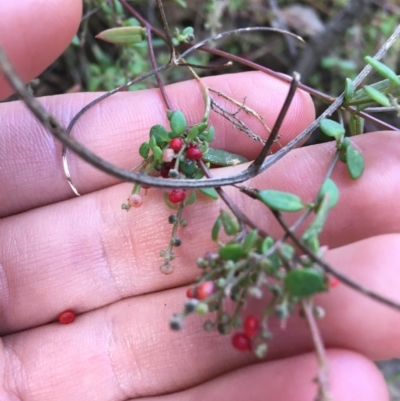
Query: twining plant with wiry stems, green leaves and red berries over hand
[282, 274]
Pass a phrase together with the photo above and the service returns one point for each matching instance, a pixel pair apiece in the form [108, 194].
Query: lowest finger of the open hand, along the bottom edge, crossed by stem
[291, 379]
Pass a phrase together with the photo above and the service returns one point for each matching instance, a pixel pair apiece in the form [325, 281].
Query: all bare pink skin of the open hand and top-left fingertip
[60, 252]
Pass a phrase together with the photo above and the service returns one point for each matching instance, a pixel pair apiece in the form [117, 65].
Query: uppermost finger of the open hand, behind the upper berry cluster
[115, 128]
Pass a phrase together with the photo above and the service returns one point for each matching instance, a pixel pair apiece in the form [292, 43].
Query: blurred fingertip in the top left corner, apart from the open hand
[34, 34]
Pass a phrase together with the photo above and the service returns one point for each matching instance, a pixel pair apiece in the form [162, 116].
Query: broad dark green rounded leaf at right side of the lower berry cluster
[304, 282]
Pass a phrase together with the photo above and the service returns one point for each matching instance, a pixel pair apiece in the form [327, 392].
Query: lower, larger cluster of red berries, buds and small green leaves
[250, 266]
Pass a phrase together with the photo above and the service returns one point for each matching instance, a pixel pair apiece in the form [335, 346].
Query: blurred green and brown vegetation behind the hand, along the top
[339, 34]
